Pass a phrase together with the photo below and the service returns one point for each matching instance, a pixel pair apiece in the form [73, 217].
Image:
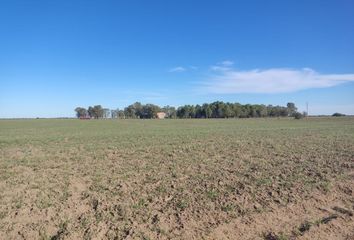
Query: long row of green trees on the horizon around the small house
[207, 110]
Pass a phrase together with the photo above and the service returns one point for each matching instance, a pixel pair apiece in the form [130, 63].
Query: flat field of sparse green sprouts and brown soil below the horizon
[177, 179]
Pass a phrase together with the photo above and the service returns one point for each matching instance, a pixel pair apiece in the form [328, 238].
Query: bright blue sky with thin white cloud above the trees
[57, 55]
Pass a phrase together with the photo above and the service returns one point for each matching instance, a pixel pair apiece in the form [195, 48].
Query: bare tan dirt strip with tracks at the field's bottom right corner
[316, 218]
